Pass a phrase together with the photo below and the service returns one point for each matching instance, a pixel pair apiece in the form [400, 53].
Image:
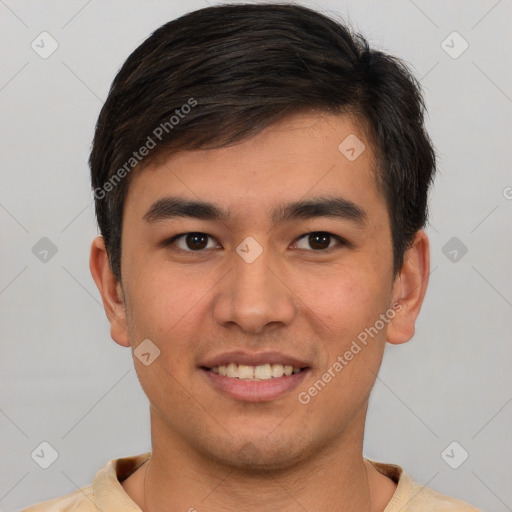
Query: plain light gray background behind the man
[64, 381]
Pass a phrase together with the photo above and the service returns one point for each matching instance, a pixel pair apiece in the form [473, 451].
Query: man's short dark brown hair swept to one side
[221, 74]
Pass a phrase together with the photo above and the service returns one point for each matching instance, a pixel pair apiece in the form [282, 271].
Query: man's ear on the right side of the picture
[409, 290]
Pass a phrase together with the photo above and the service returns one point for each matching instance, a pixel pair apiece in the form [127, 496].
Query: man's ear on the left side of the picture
[110, 290]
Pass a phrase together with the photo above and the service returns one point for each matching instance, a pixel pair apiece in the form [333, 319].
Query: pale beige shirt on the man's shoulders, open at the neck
[106, 494]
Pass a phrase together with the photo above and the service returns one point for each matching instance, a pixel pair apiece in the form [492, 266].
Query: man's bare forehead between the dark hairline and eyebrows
[300, 156]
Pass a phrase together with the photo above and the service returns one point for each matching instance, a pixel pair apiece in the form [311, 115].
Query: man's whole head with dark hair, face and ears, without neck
[277, 221]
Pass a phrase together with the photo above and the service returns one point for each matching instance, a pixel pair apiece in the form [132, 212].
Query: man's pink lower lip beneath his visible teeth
[254, 390]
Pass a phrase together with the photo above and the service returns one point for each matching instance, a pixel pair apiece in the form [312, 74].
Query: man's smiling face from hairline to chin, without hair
[288, 264]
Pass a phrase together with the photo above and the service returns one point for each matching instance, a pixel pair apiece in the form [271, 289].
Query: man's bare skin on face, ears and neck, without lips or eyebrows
[279, 454]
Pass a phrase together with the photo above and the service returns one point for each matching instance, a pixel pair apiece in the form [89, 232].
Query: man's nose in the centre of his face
[255, 295]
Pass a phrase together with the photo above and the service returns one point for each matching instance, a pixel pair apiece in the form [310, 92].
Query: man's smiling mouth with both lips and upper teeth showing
[254, 378]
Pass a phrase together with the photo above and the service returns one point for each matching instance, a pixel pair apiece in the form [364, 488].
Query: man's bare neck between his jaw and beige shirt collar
[335, 477]
